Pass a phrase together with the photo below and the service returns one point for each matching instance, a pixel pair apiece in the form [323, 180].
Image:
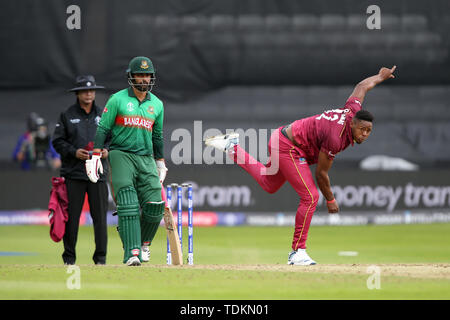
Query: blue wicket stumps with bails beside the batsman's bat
[179, 189]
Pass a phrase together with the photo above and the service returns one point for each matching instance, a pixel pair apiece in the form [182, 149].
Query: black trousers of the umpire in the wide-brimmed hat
[98, 204]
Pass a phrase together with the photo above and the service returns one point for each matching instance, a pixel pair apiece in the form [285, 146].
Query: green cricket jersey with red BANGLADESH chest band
[136, 127]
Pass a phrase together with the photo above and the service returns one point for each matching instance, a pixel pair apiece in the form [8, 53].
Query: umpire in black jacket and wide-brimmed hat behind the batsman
[73, 140]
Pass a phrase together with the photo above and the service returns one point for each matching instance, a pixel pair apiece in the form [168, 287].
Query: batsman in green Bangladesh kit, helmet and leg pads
[134, 117]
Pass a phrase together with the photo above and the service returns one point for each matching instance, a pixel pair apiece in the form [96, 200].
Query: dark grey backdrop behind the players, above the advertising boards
[235, 64]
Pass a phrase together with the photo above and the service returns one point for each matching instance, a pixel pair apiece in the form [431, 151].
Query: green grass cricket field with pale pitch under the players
[236, 263]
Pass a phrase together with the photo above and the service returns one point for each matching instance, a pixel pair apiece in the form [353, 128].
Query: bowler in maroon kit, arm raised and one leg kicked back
[304, 142]
